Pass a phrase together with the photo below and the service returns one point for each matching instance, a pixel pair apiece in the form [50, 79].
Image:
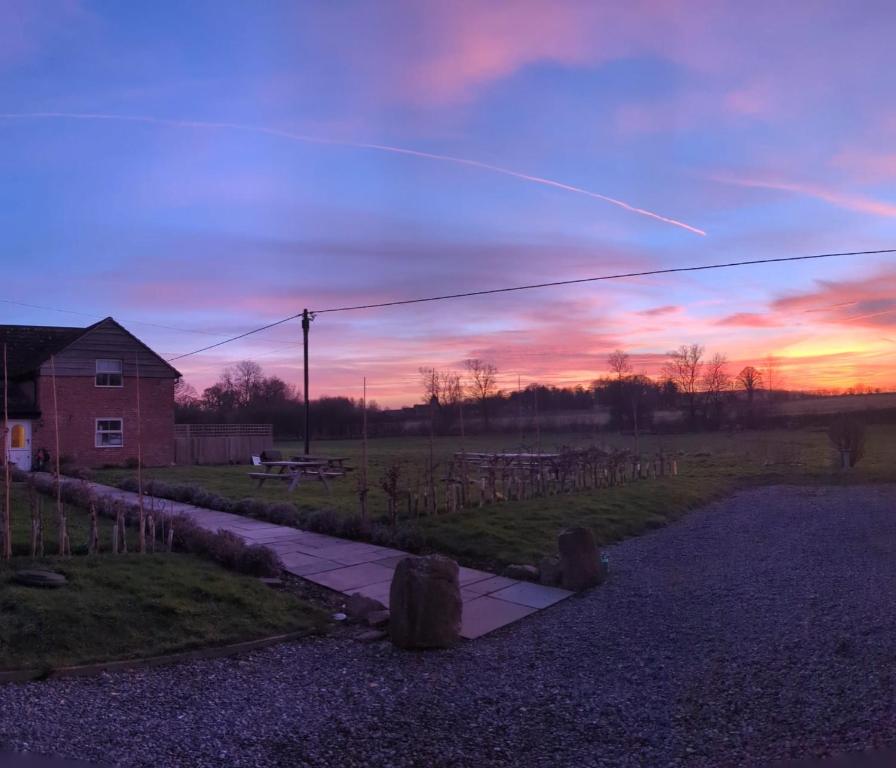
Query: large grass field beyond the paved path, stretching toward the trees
[710, 465]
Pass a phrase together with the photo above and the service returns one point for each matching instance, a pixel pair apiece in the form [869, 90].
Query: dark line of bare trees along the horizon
[693, 390]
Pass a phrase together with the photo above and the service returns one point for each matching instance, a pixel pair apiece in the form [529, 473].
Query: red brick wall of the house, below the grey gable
[81, 403]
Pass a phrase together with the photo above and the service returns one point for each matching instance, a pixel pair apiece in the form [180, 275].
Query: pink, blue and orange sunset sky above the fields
[199, 169]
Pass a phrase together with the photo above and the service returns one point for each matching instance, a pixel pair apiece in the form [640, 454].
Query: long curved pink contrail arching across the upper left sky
[357, 144]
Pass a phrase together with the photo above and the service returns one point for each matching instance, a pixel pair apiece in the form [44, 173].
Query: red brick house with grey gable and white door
[96, 395]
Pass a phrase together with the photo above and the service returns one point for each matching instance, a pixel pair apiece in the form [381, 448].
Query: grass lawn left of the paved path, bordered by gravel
[128, 606]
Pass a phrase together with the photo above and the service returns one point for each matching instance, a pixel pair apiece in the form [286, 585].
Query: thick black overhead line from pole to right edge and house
[532, 286]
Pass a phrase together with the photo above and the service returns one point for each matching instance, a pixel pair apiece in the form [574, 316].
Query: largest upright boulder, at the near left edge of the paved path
[424, 603]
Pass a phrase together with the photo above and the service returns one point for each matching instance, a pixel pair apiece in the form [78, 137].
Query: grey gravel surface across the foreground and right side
[758, 629]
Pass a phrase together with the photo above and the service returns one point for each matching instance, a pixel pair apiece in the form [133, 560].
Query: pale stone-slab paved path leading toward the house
[489, 601]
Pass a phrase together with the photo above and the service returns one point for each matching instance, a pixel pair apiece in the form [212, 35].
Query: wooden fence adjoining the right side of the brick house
[220, 443]
